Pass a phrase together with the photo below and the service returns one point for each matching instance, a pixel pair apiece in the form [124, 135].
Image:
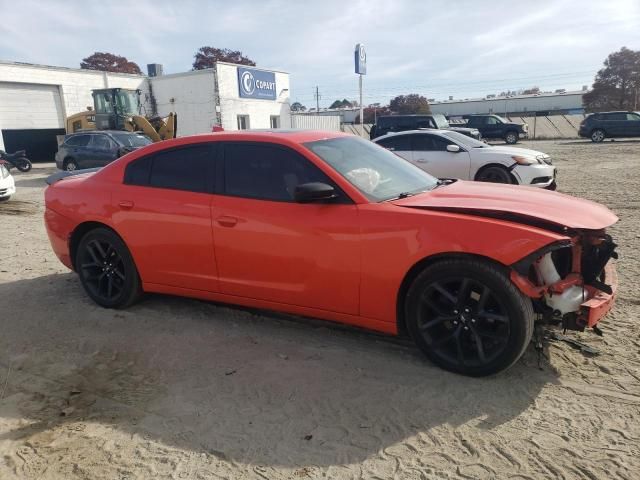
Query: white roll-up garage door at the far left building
[28, 105]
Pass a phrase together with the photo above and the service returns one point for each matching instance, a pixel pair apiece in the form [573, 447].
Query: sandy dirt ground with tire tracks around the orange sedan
[176, 388]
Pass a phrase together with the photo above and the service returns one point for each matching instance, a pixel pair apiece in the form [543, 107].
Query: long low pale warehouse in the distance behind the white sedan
[517, 105]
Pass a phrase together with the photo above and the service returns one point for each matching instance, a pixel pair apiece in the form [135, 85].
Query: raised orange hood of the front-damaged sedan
[528, 205]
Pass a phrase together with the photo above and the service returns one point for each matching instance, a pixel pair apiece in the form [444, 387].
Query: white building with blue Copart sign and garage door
[36, 99]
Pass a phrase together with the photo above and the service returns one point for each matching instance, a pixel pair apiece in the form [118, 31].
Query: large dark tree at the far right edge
[617, 85]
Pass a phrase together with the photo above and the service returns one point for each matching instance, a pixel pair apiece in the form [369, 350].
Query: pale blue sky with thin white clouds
[435, 48]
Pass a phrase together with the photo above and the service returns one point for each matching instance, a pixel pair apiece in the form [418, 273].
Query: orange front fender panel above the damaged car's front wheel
[396, 238]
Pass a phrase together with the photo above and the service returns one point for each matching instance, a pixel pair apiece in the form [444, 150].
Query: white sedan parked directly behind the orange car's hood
[447, 154]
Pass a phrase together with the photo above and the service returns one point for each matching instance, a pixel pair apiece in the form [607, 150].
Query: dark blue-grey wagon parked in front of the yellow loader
[92, 149]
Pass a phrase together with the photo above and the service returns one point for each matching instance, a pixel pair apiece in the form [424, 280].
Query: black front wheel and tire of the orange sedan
[491, 312]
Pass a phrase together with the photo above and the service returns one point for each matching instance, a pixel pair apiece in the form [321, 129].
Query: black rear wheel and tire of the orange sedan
[106, 269]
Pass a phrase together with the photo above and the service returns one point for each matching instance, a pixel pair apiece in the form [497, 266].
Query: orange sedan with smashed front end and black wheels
[330, 225]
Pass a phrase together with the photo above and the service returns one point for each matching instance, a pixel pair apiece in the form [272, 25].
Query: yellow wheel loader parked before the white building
[119, 109]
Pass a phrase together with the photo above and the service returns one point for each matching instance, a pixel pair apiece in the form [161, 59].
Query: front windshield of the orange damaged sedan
[379, 174]
